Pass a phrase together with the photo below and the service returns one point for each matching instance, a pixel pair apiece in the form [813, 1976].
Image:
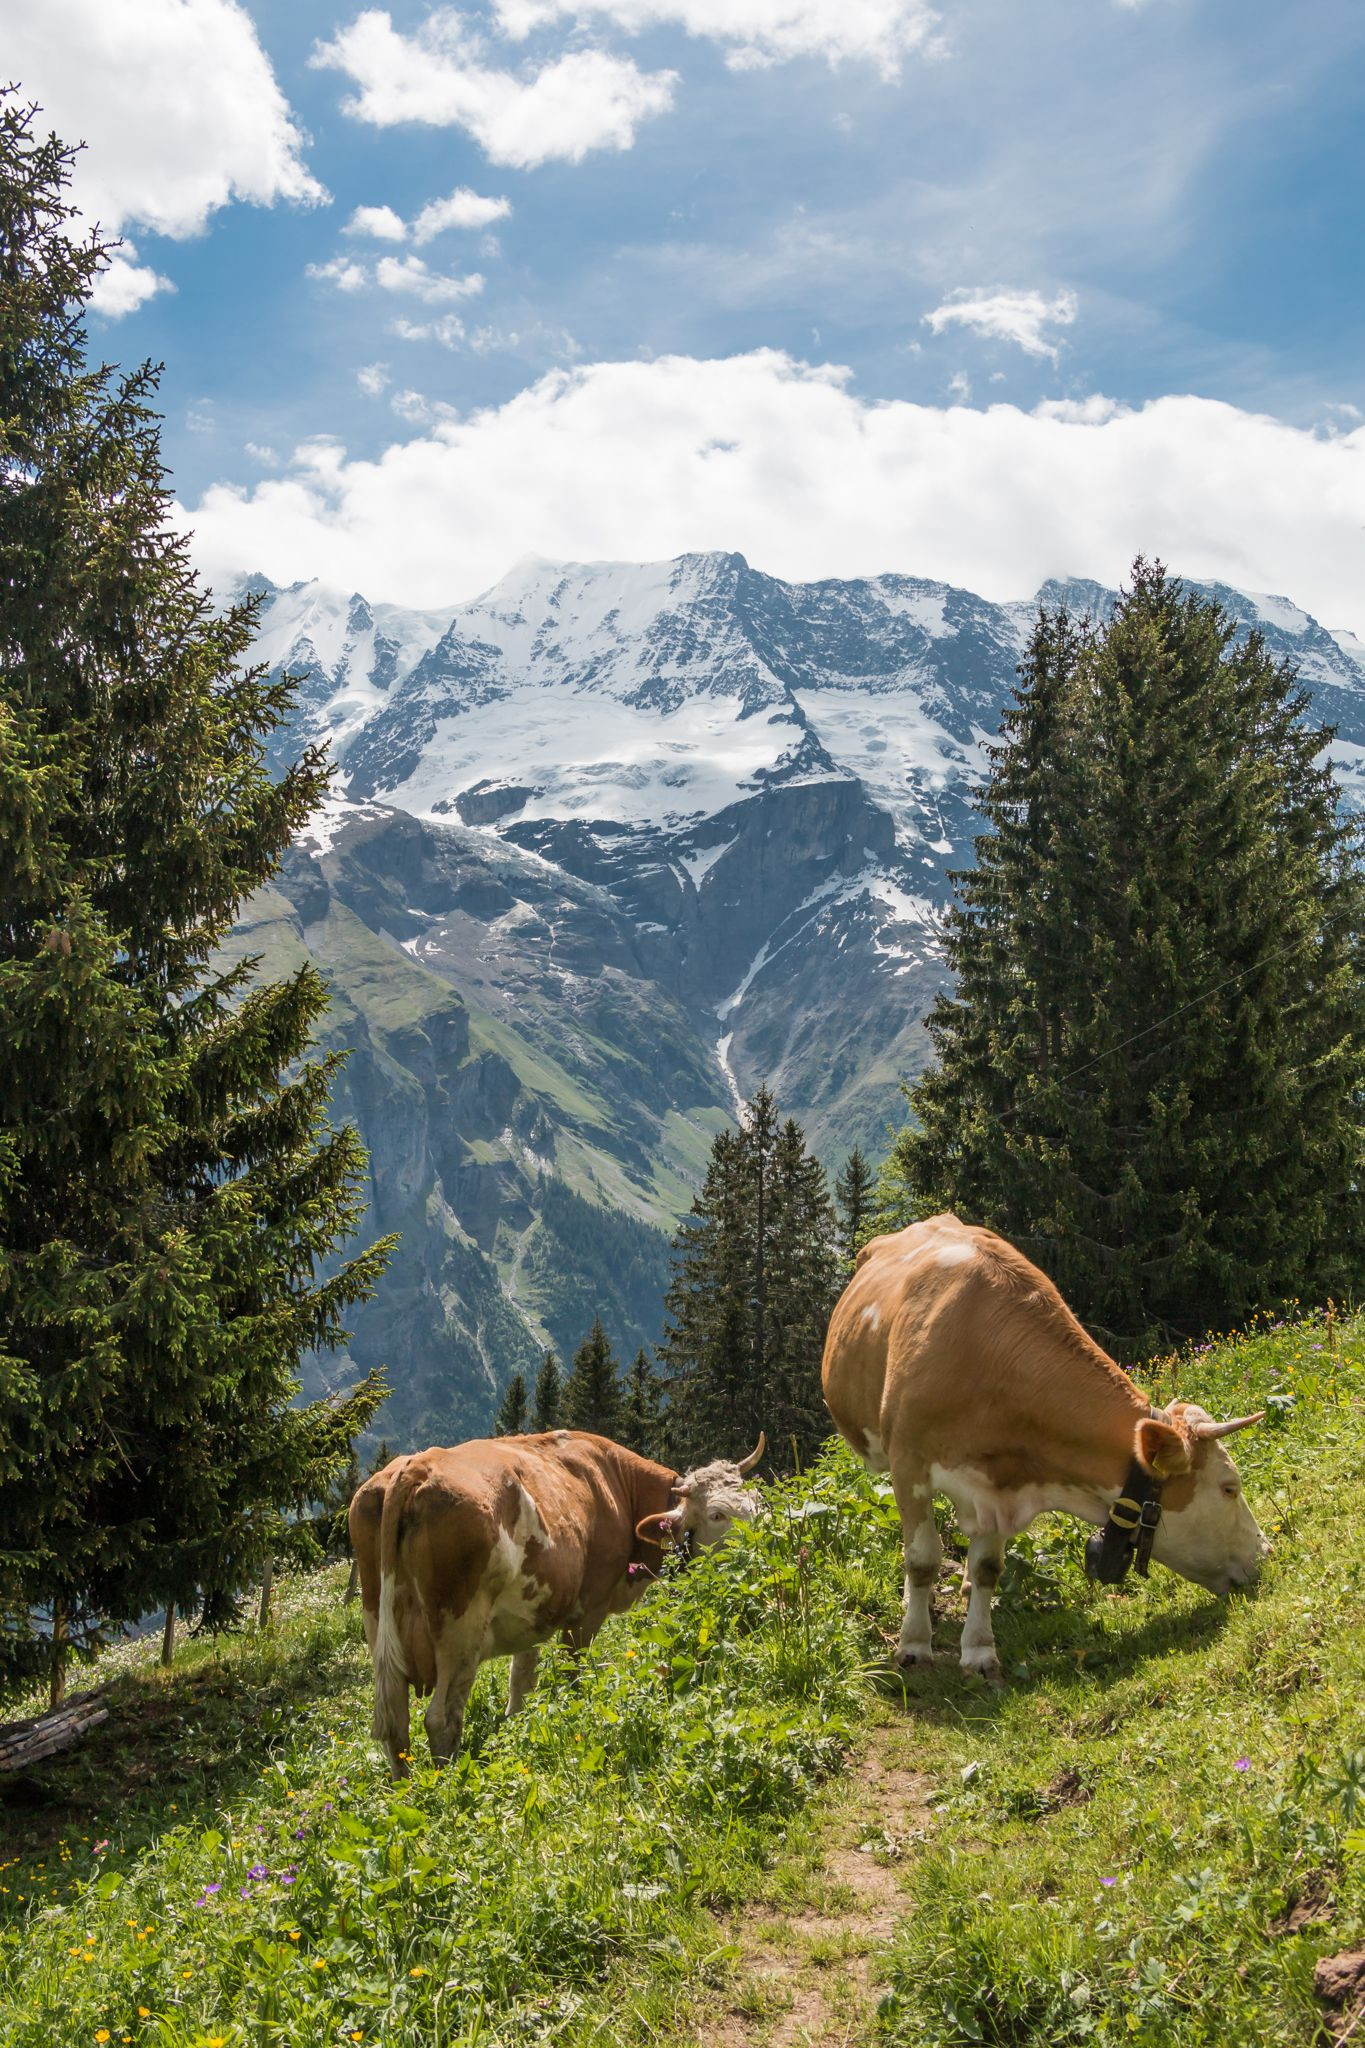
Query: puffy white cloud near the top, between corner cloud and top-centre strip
[572, 105]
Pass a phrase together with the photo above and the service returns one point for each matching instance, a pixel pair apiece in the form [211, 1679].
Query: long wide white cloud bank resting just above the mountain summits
[785, 462]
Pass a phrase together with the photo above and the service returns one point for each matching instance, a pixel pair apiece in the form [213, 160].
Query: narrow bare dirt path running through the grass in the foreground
[811, 1961]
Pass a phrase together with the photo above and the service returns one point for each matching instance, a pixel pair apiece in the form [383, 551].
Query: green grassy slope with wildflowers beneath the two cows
[263, 1883]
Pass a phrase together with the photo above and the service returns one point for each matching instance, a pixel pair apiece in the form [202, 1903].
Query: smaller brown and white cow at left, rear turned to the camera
[494, 1547]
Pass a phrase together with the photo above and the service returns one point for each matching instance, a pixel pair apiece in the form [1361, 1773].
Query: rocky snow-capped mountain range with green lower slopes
[609, 847]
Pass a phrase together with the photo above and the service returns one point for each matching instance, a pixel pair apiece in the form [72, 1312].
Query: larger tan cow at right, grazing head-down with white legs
[955, 1365]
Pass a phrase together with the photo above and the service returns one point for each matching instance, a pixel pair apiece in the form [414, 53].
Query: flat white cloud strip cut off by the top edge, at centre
[758, 32]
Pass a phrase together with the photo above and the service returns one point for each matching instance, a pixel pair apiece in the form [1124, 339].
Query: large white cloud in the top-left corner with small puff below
[179, 108]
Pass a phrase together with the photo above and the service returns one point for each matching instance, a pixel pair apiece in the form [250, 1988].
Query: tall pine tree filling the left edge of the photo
[169, 1187]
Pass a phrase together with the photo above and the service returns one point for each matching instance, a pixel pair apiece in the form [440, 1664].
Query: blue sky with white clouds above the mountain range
[973, 290]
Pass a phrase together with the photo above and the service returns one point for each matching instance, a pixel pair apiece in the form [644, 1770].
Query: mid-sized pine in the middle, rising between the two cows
[754, 1283]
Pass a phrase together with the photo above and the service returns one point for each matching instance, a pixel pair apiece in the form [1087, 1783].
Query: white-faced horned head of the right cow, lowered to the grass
[1206, 1529]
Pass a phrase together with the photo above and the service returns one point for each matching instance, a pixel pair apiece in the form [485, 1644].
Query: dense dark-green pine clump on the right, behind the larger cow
[1151, 1070]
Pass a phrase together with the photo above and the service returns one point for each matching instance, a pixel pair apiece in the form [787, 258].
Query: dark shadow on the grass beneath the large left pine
[179, 1746]
